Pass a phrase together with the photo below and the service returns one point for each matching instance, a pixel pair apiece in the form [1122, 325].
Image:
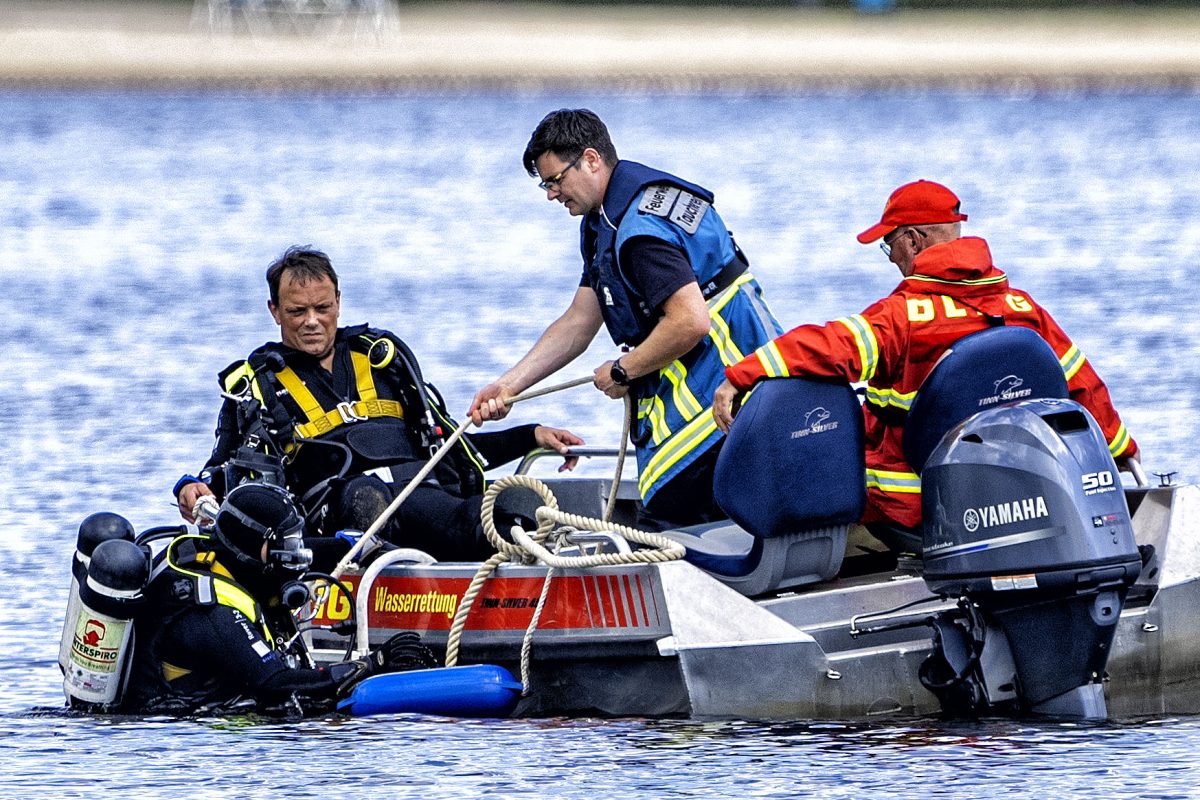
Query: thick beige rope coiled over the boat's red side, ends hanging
[530, 549]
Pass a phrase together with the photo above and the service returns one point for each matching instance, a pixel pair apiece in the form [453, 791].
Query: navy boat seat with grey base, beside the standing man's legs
[791, 477]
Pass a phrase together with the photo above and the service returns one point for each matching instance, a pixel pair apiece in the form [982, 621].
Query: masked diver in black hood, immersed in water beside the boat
[217, 633]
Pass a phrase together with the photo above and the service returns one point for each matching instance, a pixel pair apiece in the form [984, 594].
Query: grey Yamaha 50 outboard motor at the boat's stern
[1025, 522]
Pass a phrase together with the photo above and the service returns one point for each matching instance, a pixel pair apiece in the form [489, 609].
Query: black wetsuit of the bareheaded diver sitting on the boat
[442, 516]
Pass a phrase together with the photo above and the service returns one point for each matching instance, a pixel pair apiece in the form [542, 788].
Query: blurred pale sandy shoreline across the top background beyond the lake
[479, 45]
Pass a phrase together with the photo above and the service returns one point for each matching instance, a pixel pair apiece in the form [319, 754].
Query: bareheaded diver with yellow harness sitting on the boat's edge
[350, 420]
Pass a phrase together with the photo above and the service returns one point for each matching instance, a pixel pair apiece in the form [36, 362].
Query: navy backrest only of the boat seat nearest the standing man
[794, 460]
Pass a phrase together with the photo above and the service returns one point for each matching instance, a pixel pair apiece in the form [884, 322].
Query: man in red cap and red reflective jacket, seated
[950, 290]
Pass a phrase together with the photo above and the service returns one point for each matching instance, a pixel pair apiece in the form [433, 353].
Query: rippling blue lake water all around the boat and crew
[135, 230]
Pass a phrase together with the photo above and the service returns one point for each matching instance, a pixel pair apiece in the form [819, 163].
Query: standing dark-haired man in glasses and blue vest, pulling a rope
[664, 275]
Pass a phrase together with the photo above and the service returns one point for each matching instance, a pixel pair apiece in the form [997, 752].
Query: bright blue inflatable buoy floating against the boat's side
[471, 691]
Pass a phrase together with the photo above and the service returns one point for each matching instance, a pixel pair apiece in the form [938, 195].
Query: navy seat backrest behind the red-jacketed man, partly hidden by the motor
[982, 371]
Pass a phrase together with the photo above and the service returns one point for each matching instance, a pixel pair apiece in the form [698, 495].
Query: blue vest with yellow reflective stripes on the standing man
[675, 423]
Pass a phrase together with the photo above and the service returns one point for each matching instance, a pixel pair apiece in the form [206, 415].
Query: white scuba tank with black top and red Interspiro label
[103, 640]
